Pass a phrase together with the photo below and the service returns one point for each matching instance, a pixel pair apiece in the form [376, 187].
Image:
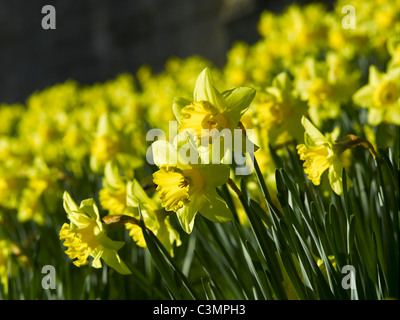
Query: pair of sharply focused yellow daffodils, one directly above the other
[188, 187]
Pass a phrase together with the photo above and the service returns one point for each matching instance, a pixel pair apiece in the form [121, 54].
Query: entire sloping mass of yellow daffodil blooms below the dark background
[308, 85]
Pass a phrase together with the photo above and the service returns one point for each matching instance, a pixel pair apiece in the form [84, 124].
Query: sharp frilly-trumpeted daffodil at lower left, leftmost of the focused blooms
[86, 236]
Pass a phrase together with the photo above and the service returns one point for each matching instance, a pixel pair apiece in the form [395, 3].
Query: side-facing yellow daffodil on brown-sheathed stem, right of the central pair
[320, 154]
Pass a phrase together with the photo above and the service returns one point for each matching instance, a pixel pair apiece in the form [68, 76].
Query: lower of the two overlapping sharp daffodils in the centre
[187, 188]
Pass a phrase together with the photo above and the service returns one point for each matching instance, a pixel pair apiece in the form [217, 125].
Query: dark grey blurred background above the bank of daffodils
[96, 40]
